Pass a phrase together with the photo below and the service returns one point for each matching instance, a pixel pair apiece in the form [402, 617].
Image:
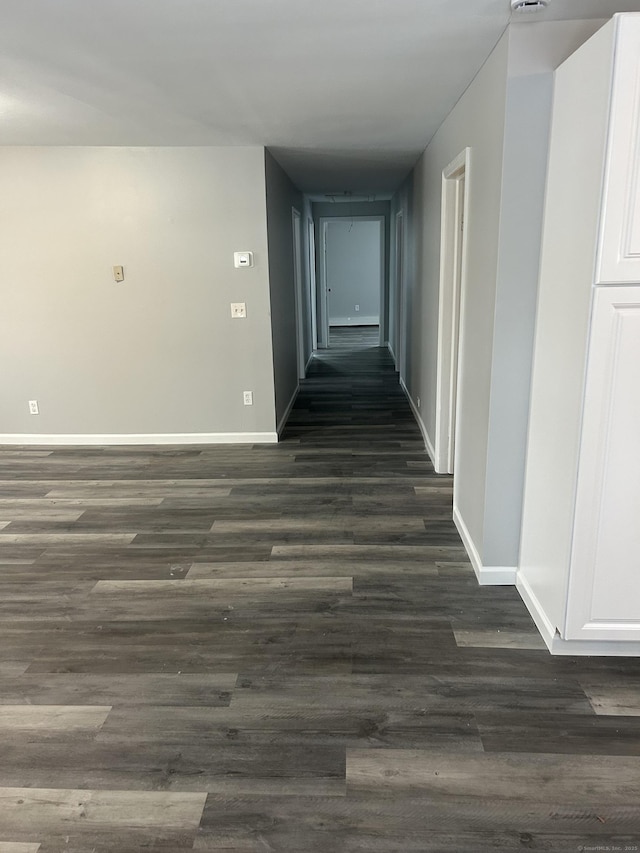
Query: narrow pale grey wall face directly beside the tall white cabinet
[535, 50]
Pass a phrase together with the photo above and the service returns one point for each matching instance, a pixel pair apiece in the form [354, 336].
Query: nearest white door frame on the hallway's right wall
[453, 274]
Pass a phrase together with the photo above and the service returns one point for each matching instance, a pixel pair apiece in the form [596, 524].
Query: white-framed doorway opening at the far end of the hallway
[352, 279]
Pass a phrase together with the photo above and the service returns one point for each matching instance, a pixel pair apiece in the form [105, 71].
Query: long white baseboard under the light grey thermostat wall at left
[93, 439]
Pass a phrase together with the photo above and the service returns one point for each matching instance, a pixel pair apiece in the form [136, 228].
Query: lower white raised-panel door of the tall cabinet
[604, 580]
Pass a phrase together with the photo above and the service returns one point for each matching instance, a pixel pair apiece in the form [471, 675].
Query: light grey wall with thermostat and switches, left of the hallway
[159, 352]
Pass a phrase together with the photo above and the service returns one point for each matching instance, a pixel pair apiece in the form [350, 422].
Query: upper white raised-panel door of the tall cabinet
[619, 244]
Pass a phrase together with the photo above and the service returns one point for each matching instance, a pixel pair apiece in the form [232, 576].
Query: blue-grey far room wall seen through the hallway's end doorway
[354, 271]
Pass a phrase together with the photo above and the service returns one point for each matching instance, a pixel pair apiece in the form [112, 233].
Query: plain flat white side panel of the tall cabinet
[563, 315]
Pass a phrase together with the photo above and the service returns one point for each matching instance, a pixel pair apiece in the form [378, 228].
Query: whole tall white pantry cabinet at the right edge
[579, 569]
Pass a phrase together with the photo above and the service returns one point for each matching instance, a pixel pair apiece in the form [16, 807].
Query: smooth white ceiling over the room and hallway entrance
[346, 92]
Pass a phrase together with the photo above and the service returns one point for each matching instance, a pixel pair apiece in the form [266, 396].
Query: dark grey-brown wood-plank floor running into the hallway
[283, 649]
